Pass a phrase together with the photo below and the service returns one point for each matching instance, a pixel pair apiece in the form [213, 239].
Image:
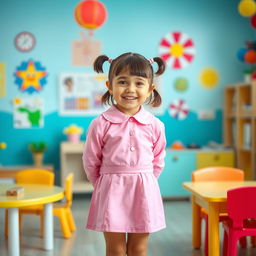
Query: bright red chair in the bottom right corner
[241, 220]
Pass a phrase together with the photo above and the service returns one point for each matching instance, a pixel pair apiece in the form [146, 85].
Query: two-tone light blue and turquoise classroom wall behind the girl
[216, 28]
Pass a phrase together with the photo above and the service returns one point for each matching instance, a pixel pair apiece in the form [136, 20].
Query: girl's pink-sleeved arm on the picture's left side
[92, 154]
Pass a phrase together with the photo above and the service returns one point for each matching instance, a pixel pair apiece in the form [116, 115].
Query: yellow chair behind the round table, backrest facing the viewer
[31, 176]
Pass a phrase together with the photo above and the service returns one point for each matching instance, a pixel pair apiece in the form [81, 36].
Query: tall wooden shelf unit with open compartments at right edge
[239, 121]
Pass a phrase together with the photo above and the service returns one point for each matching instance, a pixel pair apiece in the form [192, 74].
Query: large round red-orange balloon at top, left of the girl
[90, 14]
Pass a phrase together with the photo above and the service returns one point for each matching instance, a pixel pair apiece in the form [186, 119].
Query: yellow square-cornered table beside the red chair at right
[211, 196]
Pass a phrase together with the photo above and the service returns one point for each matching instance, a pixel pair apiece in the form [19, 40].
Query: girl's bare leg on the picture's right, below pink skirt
[137, 244]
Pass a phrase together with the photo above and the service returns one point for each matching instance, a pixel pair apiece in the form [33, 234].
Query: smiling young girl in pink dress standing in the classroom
[124, 155]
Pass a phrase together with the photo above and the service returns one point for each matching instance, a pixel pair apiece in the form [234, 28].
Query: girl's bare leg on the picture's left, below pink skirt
[115, 243]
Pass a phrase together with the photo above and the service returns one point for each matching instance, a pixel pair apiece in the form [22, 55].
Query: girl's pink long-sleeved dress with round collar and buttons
[123, 157]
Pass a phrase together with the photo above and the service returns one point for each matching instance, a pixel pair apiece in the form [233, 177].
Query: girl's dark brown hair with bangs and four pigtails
[137, 65]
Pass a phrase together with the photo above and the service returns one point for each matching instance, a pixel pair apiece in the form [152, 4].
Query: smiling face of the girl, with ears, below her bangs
[129, 92]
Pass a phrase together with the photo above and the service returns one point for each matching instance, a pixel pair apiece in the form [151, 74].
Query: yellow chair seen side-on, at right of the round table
[63, 210]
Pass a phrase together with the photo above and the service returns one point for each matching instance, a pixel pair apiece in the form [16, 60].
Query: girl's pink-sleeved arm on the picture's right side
[159, 149]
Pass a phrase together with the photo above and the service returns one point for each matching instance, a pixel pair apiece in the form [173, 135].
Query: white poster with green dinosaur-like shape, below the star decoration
[28, 113]
